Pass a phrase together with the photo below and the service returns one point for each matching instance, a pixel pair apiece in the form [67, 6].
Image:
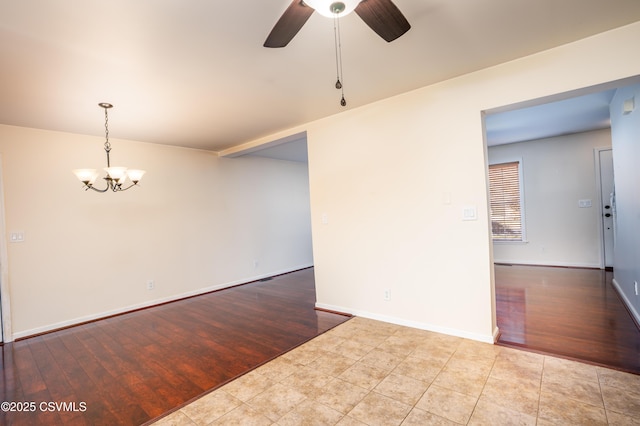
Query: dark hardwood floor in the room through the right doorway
[569, 312]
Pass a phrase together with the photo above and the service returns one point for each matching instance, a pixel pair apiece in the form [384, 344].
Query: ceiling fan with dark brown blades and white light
[382, 16]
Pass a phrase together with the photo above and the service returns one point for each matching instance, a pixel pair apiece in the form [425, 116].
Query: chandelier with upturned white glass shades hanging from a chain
[116, 176]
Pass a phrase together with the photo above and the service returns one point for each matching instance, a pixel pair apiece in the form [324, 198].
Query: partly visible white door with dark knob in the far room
[607, 207]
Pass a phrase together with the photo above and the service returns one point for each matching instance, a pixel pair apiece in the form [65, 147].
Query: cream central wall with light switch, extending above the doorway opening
[392, 179]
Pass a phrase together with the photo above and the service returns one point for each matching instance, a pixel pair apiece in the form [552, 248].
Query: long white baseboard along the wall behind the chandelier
[147, 304]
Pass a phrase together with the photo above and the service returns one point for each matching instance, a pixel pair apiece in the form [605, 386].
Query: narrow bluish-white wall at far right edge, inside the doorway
[625, 132]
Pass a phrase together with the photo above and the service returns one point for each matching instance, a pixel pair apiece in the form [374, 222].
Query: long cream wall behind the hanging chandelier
[197, 222]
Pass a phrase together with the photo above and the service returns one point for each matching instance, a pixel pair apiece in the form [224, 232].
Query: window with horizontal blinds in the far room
[505, 182]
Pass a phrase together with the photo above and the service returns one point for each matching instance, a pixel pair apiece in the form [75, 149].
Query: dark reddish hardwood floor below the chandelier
[129, 369]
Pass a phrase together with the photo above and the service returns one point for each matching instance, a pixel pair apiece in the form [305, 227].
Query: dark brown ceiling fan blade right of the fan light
[383, 17]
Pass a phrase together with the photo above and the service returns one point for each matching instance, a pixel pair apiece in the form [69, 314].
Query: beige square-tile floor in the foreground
[367, 372]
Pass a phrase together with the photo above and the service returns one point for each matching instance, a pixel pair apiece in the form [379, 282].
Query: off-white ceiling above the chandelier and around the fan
[194, 73]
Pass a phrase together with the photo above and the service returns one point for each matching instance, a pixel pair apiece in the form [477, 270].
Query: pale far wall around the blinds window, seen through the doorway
[557, 172]
